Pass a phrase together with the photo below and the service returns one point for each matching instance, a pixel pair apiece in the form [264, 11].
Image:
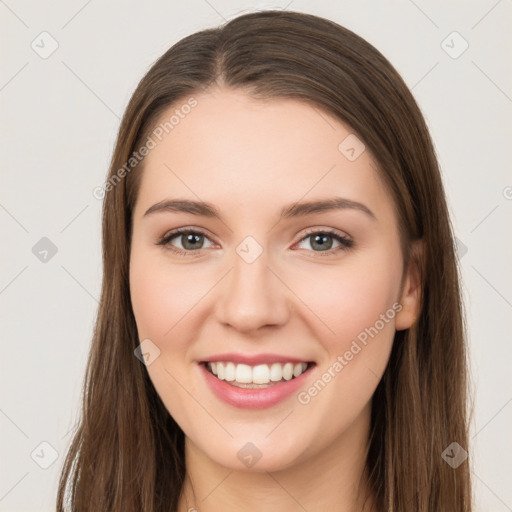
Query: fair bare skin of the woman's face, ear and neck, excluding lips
[251, 158]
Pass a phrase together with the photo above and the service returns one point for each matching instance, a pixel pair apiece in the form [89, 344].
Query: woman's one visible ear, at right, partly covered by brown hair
[411, 289]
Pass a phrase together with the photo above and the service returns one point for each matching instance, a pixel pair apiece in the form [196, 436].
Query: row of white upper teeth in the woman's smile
[260, 374]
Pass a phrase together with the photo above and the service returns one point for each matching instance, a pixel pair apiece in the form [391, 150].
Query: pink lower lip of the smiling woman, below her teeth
[246, 398]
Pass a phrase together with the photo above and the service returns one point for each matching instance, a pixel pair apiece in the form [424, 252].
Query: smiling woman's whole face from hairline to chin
[267, 294]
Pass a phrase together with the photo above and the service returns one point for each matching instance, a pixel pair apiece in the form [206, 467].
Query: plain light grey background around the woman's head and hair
[59, 118]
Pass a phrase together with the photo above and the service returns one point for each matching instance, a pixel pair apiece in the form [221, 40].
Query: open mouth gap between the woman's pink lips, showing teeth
[258, 376]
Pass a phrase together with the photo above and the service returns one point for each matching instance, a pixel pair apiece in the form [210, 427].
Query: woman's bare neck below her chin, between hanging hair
[333, 479]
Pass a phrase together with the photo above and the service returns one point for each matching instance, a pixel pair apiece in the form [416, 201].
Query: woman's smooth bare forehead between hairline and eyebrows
[231, 149]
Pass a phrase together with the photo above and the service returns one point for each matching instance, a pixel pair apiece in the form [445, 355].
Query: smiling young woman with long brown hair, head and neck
[280, 325]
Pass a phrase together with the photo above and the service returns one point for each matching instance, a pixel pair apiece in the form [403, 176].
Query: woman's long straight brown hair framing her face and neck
[127, 453]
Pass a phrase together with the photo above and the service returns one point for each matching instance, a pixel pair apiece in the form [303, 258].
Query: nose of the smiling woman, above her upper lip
[253, 296]
